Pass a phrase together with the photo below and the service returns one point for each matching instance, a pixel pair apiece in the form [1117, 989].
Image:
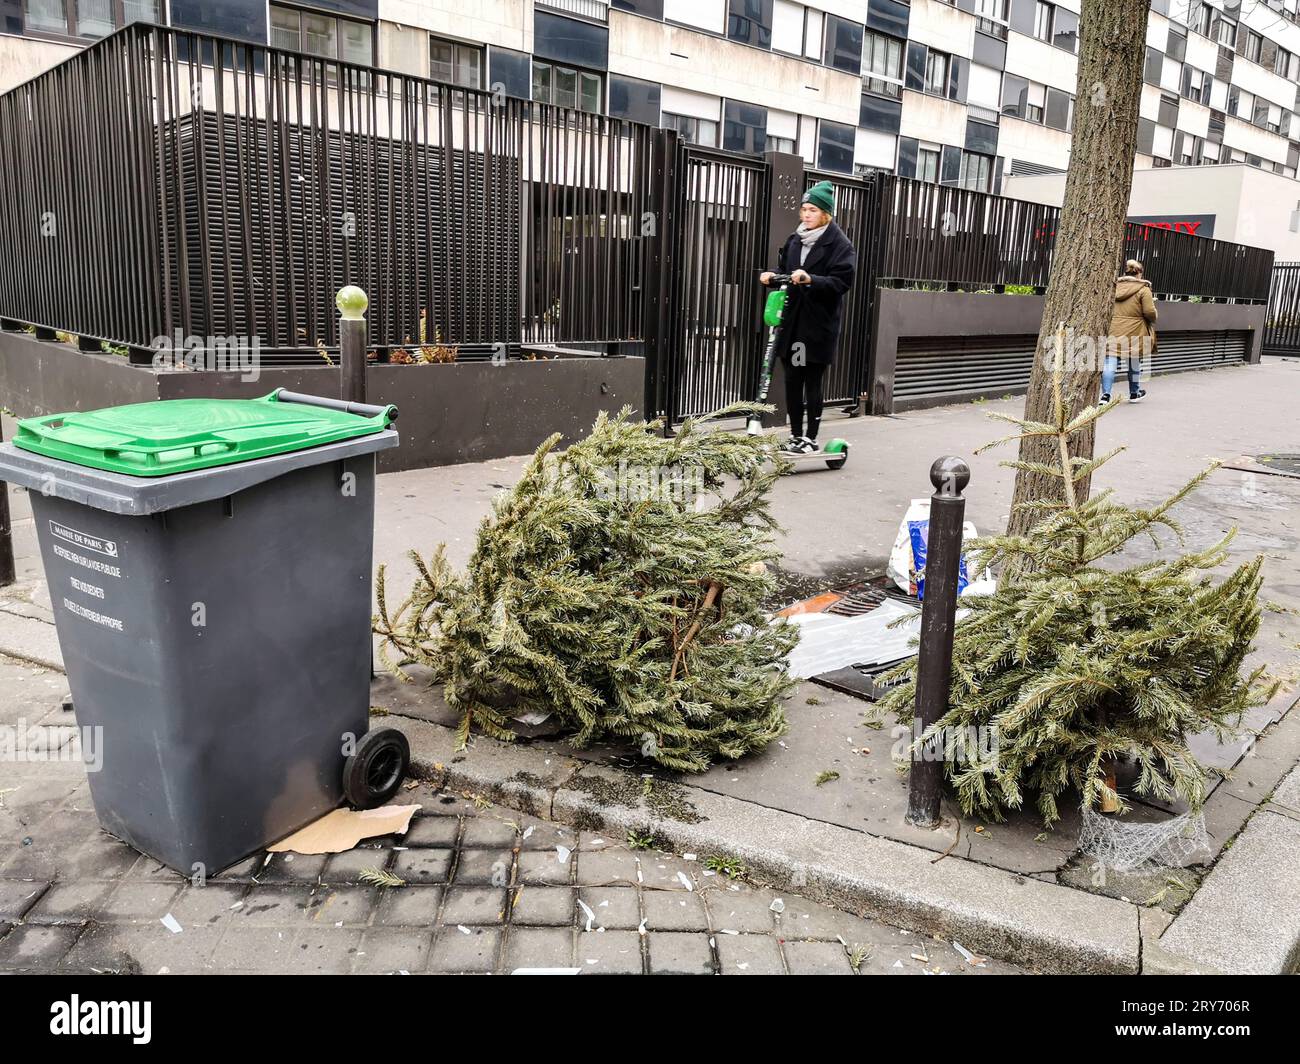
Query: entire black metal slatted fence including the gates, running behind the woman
[164, 183]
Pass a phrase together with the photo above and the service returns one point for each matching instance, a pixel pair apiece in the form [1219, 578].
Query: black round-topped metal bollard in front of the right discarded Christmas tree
[938, 618]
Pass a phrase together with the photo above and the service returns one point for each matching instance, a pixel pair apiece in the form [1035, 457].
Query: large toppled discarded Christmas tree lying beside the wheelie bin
[619, 586]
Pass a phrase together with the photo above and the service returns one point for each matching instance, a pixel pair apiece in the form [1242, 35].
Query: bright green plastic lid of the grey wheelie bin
[176, 436]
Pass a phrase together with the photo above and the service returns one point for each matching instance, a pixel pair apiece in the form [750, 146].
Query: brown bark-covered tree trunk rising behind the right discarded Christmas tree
[1089, 240]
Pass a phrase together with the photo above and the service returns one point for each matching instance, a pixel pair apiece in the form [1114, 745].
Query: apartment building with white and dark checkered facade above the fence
[964, 93]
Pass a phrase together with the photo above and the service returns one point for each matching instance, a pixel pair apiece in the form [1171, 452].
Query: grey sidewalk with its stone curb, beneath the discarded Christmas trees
[1007, 890]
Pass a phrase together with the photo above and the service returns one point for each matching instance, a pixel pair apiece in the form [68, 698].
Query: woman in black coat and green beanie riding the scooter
[822, 263]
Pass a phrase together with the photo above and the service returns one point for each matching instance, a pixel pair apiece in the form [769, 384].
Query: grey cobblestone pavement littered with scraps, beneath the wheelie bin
[487, 890]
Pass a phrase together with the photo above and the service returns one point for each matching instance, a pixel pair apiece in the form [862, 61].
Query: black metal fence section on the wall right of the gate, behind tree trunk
[960, 239]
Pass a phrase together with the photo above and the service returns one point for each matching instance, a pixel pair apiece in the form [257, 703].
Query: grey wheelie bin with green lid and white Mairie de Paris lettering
[210, 570]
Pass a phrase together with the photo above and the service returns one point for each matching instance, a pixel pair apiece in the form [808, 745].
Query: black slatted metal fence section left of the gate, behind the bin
[164, 180]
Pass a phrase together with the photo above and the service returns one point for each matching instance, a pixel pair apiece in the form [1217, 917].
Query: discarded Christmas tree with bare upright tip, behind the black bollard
[1077, 665]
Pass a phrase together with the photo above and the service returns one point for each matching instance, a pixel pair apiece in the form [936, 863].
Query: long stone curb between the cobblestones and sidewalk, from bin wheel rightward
[991, 911]
